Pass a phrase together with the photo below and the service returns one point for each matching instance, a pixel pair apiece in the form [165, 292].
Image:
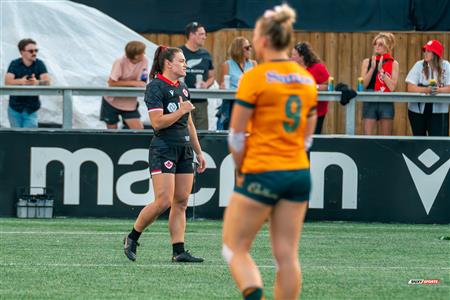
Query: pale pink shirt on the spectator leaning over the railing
[124, 69]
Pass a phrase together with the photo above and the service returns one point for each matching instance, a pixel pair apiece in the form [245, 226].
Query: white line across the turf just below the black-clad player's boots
[206, 265]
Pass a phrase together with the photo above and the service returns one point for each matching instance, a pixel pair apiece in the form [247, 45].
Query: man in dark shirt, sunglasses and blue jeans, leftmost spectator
[26, 70]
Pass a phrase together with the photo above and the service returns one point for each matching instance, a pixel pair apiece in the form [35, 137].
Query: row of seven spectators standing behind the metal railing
[379, 73]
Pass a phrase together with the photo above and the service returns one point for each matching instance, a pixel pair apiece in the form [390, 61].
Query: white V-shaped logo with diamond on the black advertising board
[427, 185]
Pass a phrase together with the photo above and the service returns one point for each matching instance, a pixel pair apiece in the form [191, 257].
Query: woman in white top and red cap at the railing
[429, 119]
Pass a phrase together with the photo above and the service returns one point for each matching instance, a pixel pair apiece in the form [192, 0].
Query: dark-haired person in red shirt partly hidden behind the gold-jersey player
[306, 57]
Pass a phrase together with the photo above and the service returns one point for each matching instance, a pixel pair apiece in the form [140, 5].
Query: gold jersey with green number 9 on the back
[283, 95]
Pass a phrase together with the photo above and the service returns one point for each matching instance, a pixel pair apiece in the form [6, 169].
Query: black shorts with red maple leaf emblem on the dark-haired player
[173, 159]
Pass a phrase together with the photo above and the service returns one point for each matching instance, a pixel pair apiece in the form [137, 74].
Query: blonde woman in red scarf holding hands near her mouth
[380, 74]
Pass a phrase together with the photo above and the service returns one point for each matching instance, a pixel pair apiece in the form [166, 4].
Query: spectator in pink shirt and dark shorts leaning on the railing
[130, 70]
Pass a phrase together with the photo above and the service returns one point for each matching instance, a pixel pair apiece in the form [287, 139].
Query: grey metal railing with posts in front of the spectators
[67, 92]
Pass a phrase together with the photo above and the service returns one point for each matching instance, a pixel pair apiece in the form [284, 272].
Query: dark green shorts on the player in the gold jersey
[270, 187]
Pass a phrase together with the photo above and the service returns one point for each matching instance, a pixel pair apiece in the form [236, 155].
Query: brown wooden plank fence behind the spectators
[342, 53]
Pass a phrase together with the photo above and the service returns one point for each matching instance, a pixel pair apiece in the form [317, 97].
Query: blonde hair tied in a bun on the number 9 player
[276, 24]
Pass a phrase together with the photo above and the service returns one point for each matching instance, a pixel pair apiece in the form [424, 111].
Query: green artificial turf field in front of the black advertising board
[83, 259]
